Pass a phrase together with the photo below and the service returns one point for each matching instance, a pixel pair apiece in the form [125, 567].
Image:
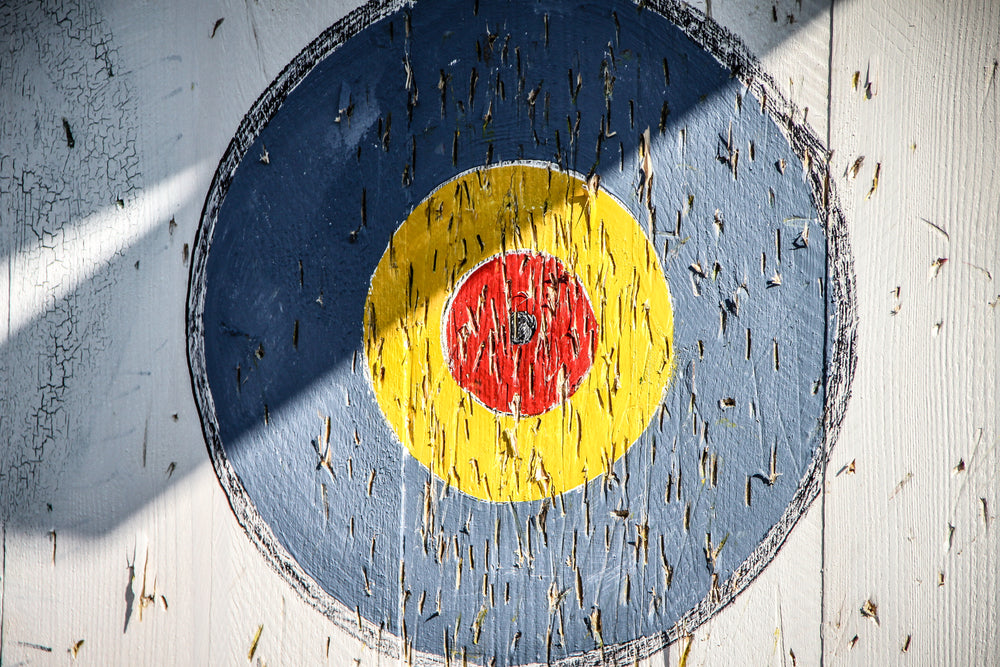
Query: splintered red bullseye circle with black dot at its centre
[520, 333]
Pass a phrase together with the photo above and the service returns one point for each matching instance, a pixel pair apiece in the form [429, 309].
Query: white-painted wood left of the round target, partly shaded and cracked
[126, 514]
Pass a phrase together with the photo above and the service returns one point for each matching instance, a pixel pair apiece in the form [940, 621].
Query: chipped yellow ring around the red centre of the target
[480, 214]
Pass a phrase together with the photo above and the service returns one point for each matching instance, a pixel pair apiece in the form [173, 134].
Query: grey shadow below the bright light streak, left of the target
[111, 456]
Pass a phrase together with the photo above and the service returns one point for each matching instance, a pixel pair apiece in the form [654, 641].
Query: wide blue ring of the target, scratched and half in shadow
[305, 205]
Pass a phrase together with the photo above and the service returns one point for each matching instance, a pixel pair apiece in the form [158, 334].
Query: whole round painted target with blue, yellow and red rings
[519, 330]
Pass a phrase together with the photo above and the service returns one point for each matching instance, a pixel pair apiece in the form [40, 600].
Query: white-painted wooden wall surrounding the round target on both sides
[121, 500]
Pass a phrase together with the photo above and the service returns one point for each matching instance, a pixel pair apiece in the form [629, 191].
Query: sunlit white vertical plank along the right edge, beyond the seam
[912, 485]
